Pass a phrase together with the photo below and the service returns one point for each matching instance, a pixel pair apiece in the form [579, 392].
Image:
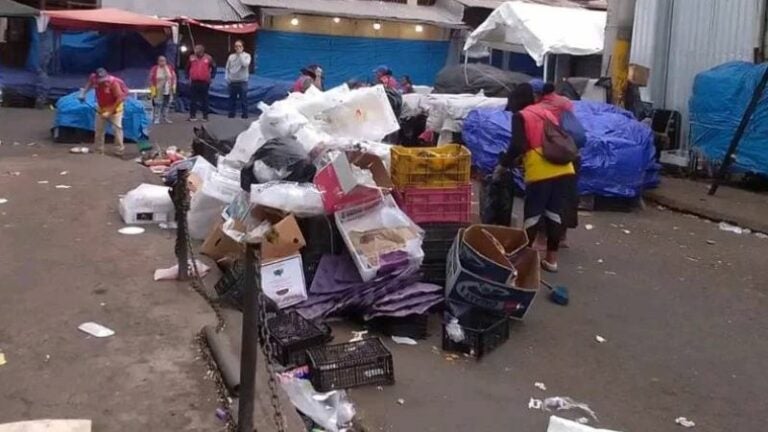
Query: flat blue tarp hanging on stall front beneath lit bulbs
[282, 54]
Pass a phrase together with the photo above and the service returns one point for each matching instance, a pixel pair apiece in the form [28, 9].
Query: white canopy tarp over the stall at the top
[540, 30]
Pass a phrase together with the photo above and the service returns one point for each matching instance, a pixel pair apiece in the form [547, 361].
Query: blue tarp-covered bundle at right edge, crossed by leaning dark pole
[720, 97]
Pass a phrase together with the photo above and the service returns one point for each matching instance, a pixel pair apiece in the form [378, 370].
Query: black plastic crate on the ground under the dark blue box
[484, 331]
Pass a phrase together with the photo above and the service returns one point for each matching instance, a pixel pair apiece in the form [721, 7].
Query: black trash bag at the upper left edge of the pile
[217, 138]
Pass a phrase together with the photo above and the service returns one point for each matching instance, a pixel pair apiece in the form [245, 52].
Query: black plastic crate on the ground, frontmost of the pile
[354, 364]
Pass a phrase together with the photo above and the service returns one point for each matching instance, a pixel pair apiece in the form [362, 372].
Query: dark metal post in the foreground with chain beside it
[250, 341]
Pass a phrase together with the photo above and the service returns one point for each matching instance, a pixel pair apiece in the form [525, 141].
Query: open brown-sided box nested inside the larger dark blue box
[486, 250]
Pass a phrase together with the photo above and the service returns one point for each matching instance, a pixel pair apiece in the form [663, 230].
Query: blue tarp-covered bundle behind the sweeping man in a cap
[70, 112]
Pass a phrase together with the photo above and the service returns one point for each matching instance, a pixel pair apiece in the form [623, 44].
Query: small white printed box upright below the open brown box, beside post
[283, 281]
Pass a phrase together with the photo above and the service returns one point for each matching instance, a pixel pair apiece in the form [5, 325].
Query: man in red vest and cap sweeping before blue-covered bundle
[111, 91]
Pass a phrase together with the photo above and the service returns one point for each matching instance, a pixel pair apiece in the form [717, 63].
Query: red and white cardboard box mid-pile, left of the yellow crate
[336, 181]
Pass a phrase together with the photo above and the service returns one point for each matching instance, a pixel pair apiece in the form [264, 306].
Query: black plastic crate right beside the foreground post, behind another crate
[291, 335]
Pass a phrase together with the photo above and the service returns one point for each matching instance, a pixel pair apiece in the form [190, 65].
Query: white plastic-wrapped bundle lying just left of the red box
[301, 199]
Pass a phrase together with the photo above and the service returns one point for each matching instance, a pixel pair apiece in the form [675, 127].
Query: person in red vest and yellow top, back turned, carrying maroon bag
[546, 183]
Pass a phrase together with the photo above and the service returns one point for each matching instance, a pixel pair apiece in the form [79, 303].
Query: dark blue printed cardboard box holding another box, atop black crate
[516, 299]
